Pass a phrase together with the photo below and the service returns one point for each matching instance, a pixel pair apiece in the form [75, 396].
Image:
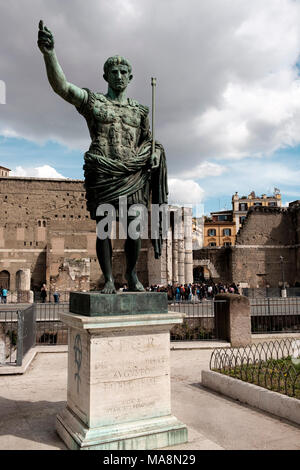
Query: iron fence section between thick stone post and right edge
[275, 315]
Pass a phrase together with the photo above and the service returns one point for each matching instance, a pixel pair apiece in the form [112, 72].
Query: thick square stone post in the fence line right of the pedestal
[233, 319]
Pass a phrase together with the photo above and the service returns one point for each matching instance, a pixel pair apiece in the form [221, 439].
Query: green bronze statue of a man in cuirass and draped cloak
[122, 159]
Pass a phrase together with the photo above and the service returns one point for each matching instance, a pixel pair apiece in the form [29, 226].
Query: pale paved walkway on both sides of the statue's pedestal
[29, 404]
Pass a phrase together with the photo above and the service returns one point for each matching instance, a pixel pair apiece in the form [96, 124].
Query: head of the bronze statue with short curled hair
[117, 72]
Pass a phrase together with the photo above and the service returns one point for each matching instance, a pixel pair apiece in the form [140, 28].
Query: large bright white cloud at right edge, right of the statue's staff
[253, 120]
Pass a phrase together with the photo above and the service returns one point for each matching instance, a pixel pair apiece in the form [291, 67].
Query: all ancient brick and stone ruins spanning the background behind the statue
[46, 235]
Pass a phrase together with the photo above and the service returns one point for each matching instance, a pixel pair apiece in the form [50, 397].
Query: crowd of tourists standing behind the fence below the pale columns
[193, 292]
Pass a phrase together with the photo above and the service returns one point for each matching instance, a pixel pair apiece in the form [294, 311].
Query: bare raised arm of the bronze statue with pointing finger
[56, 76]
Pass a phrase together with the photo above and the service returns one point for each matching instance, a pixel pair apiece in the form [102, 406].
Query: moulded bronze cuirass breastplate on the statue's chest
[116, 129]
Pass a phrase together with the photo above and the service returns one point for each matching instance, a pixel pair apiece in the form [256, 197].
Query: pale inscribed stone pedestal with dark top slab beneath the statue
[119, 373]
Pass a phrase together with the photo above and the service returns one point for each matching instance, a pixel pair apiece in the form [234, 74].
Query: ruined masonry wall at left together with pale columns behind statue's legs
[46, 235]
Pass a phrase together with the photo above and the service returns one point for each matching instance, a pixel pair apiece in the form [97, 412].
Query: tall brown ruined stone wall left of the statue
[44, 222]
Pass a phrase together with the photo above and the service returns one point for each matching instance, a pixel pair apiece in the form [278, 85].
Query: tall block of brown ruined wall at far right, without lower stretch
[267, 234]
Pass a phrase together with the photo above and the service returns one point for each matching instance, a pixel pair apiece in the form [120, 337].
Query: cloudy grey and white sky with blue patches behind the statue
[228, 89]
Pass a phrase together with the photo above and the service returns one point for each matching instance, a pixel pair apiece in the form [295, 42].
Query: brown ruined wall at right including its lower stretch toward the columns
[266, 234]
